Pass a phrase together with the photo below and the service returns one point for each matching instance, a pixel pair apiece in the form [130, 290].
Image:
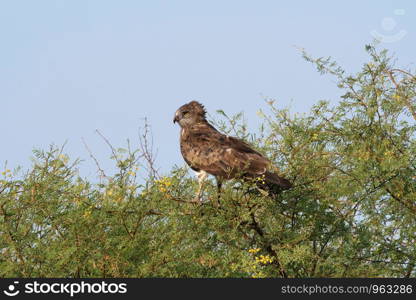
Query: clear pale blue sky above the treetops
[70, 67]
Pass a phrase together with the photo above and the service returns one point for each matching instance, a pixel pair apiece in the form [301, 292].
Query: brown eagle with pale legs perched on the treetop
[208, 151]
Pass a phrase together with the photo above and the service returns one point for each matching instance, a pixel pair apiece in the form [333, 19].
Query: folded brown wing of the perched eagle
[203, 147]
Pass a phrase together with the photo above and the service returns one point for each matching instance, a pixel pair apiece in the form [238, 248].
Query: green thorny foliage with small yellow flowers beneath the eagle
[351, 212]
